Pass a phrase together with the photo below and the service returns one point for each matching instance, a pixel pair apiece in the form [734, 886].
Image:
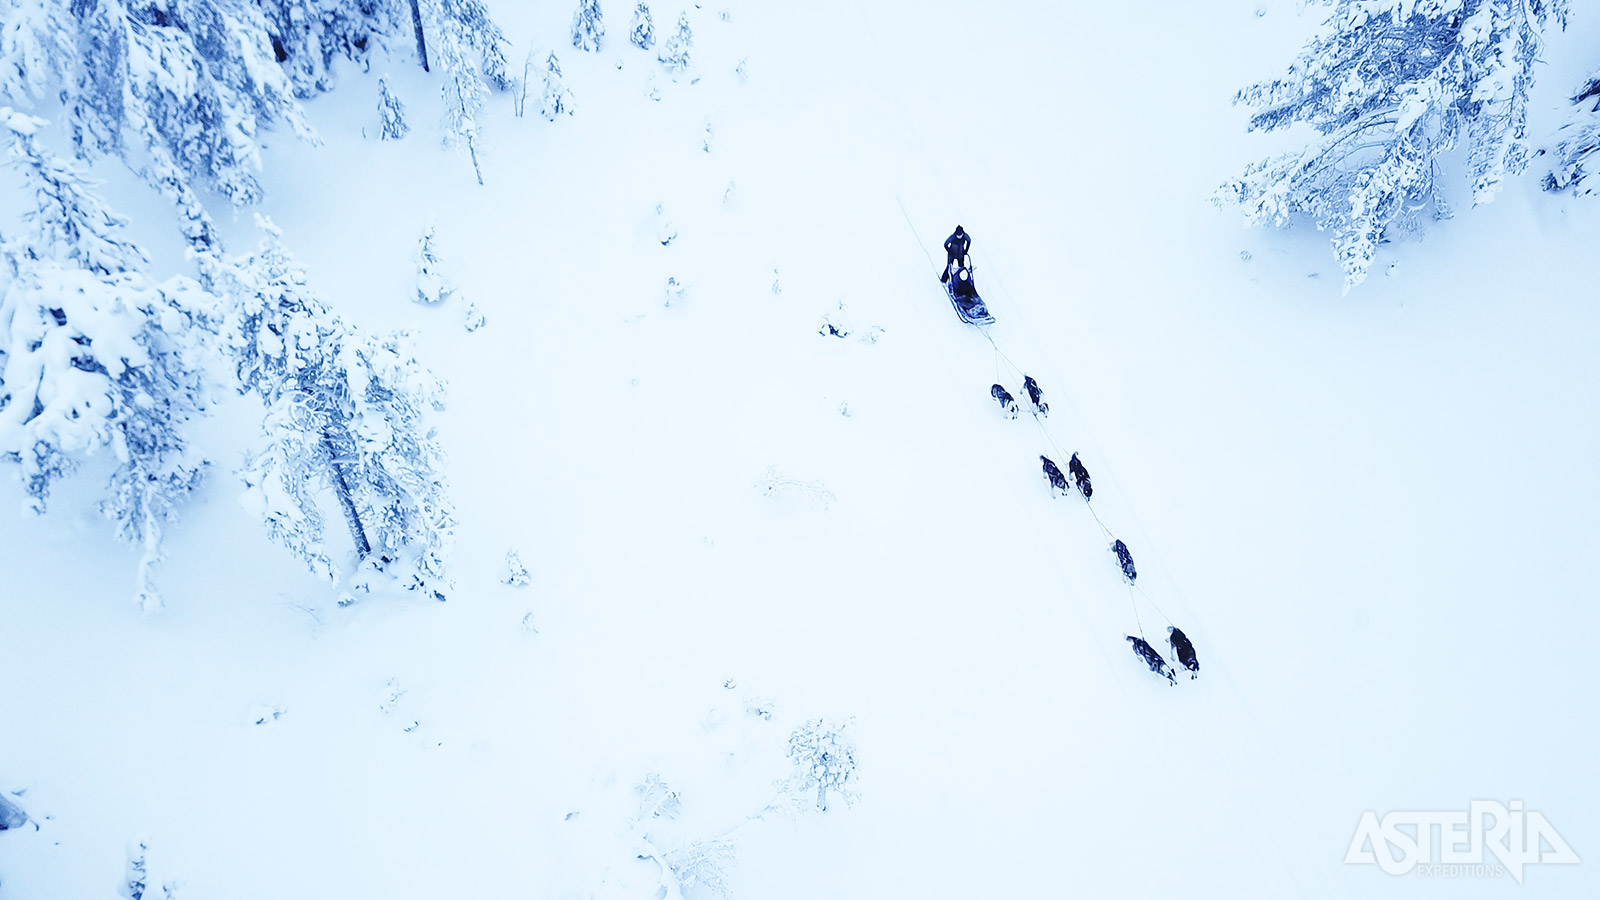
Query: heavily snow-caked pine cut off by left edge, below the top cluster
[95, 355]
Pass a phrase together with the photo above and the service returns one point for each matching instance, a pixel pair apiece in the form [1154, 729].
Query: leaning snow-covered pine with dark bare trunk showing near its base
[345, 416]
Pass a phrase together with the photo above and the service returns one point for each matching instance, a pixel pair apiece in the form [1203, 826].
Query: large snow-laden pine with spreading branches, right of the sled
[1391, 87]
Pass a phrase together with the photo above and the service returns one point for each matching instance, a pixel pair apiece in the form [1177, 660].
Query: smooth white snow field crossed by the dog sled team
[1375, 515]
